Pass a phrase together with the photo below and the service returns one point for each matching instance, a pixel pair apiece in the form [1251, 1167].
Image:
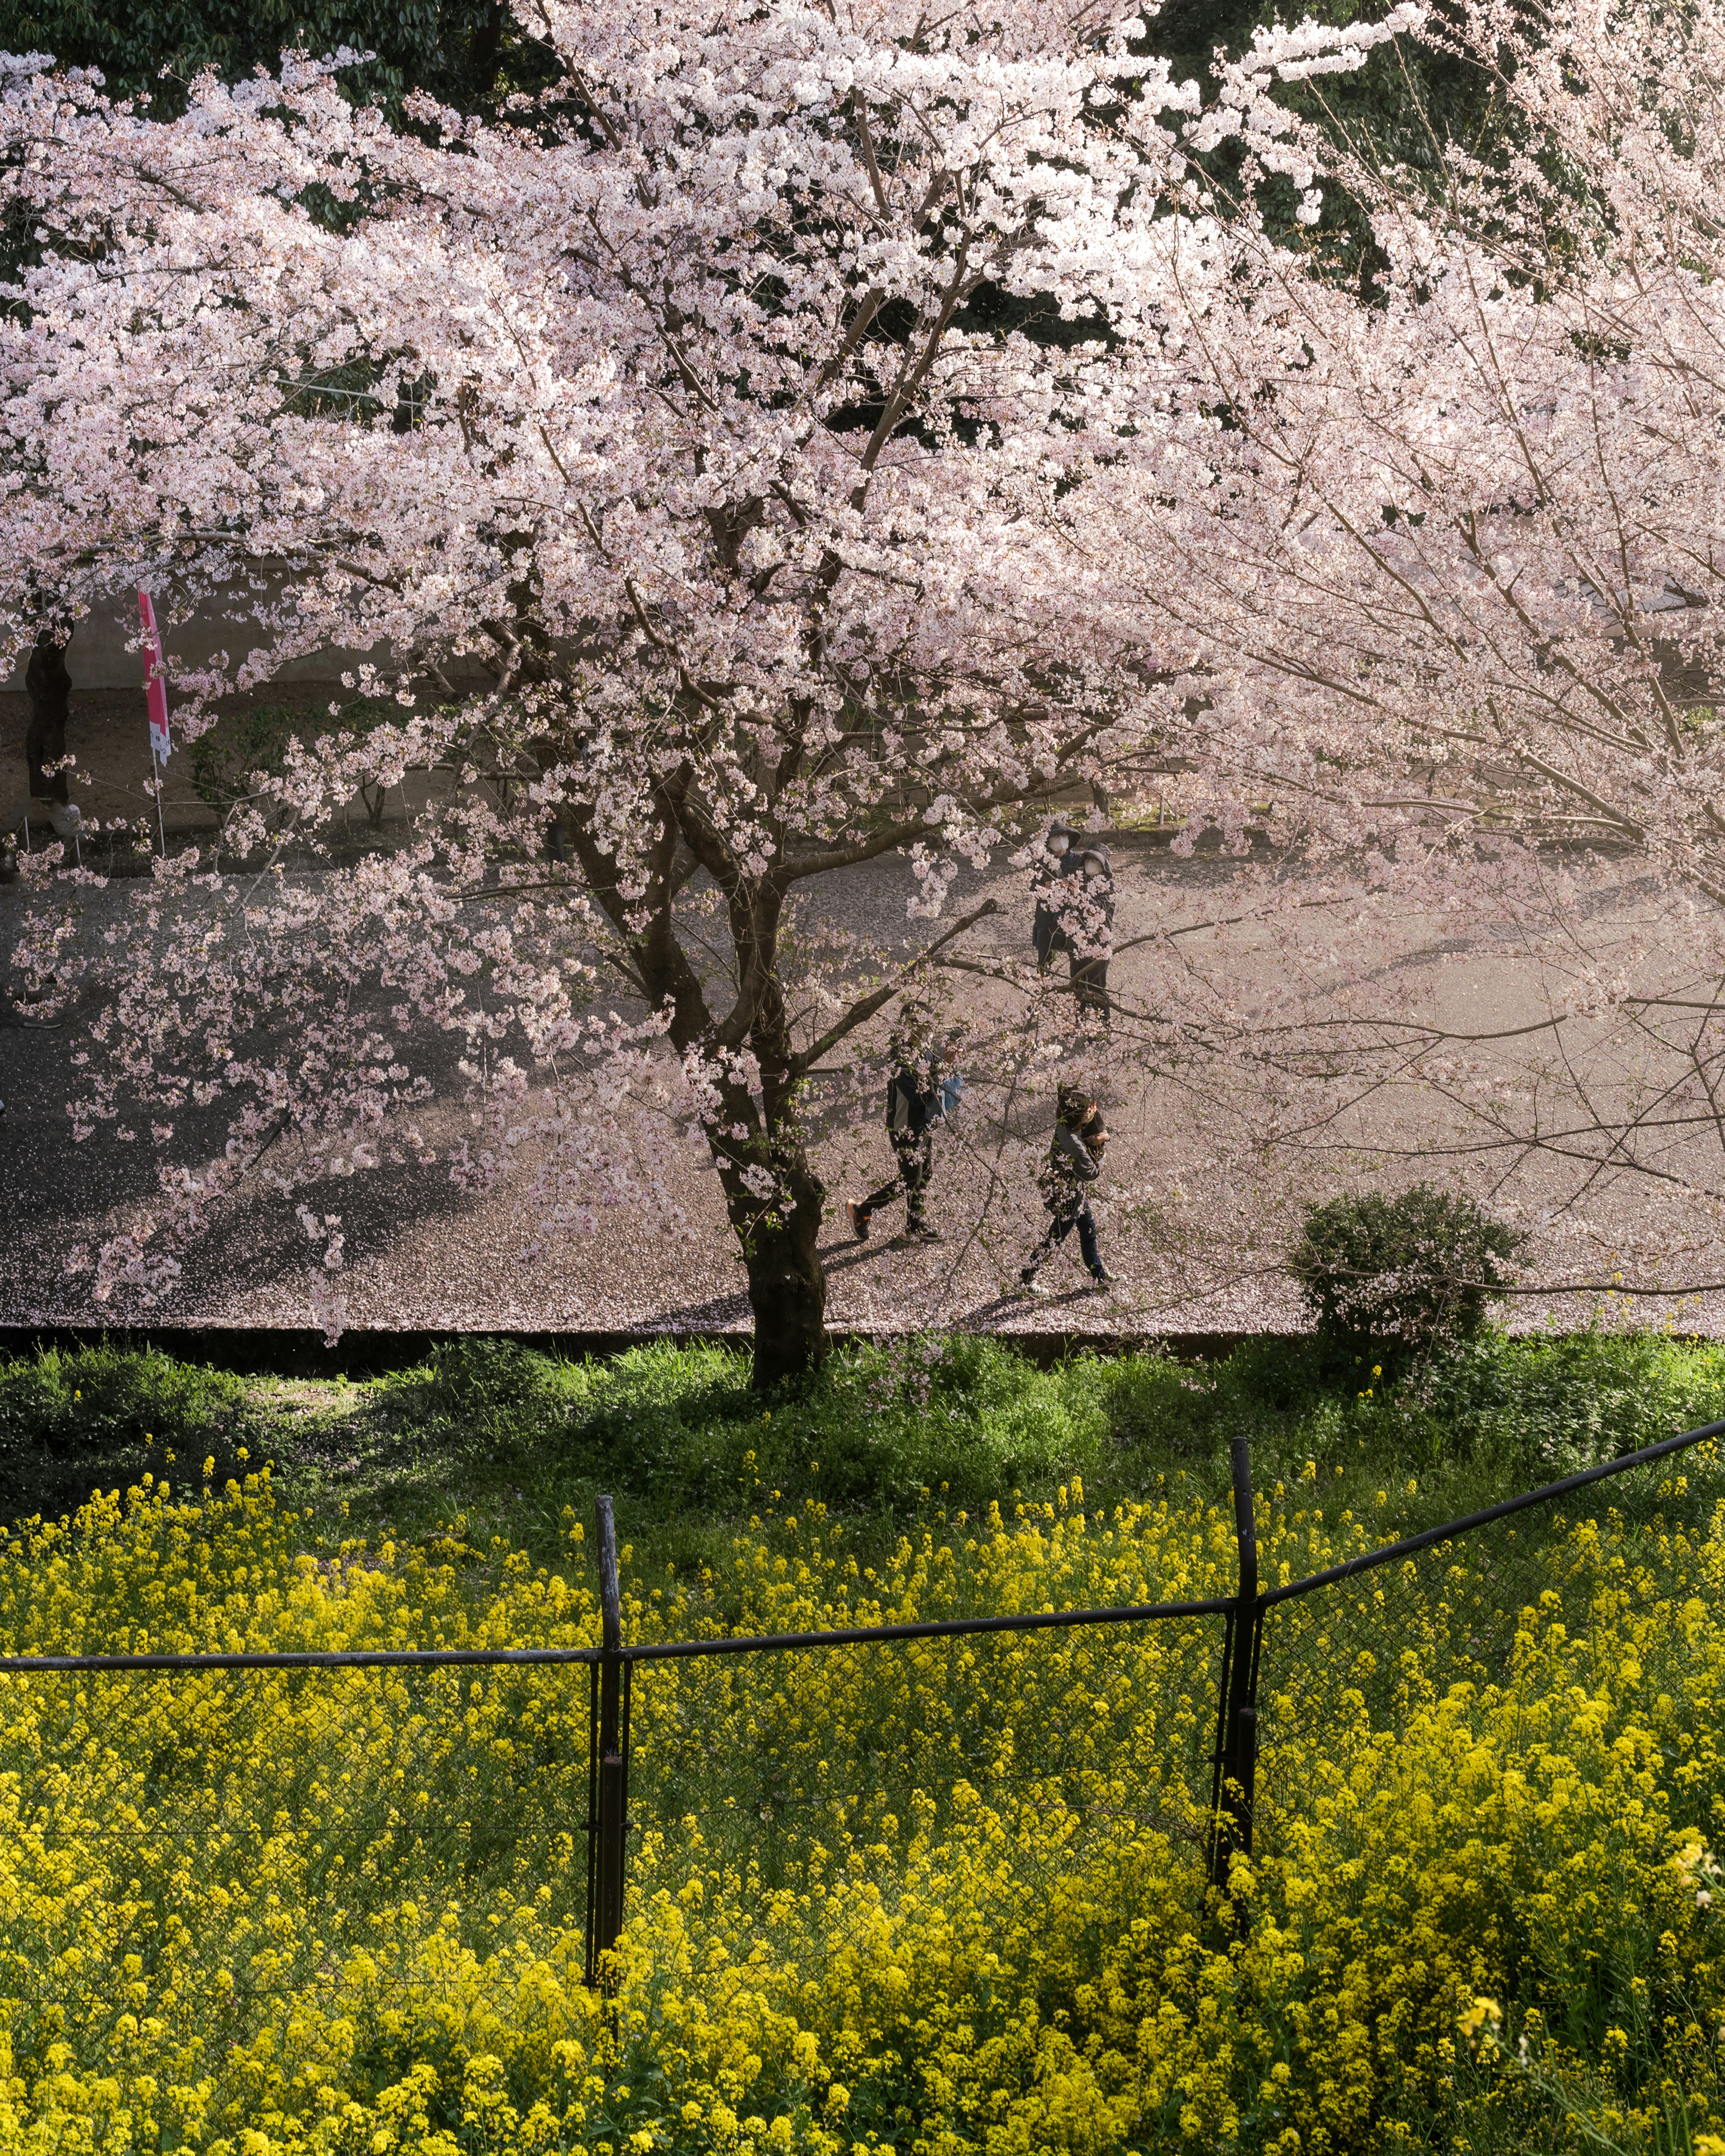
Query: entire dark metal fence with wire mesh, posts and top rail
[357, 1816]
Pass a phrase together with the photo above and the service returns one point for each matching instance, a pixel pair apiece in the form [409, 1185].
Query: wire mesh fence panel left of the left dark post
[320, 1814]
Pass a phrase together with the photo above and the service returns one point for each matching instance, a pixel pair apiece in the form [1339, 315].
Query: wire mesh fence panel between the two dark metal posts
[870, 1741]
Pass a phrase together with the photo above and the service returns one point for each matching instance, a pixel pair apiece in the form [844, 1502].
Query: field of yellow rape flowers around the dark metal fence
[939, 1896]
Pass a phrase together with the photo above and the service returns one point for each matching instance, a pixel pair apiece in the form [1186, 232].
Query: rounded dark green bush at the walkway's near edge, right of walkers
[1409, 1273]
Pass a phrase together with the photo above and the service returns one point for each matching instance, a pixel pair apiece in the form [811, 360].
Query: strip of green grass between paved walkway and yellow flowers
[510, 1443]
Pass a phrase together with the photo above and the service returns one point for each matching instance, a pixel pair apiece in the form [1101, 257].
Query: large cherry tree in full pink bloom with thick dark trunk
[693, 458]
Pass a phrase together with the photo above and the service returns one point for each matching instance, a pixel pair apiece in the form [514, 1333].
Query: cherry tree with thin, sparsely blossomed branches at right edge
[1457, 579]
